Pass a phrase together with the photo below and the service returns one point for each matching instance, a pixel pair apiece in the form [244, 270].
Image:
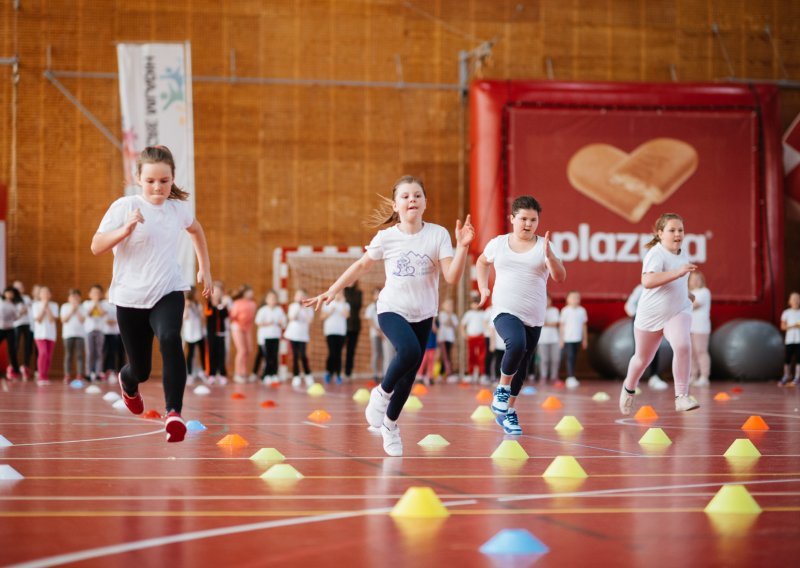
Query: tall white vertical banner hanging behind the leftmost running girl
[155, 89]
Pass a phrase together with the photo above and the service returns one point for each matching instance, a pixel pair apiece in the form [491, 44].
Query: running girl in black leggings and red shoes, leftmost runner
[147, 286]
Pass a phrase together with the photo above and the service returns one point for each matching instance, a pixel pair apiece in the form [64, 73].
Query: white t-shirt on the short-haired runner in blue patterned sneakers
[520, 286]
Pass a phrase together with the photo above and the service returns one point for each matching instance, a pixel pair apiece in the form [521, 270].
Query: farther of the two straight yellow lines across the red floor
[408, 476]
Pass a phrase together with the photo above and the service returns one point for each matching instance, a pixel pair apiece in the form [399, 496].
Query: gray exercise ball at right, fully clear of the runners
[747, 350]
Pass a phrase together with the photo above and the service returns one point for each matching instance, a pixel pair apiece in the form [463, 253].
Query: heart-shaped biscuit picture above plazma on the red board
[628, 184]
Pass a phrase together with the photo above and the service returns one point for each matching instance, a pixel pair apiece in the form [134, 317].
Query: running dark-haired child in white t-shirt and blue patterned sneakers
[522, 262]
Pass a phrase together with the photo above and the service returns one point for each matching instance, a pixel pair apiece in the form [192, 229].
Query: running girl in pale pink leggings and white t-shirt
[665, 309]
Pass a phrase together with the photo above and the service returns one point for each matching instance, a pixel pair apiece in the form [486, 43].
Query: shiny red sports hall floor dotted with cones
[102, 487]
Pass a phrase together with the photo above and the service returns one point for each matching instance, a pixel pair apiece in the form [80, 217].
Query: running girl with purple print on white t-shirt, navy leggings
[413, 253]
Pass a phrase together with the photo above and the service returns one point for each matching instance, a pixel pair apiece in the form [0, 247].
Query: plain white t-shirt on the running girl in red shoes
[146, 263]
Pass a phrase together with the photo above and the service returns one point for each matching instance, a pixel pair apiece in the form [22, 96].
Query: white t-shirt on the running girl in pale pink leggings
[658, 305]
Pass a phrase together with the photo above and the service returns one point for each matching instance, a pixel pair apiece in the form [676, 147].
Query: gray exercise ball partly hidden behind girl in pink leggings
[614, 348]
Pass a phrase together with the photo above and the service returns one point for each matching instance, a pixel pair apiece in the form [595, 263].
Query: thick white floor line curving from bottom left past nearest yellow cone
[198, 535]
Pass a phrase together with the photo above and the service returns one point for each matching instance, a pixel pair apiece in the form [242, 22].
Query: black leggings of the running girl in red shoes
[137, 328]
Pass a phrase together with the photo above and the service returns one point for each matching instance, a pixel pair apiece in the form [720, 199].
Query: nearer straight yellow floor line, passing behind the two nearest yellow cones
[505, 512]
